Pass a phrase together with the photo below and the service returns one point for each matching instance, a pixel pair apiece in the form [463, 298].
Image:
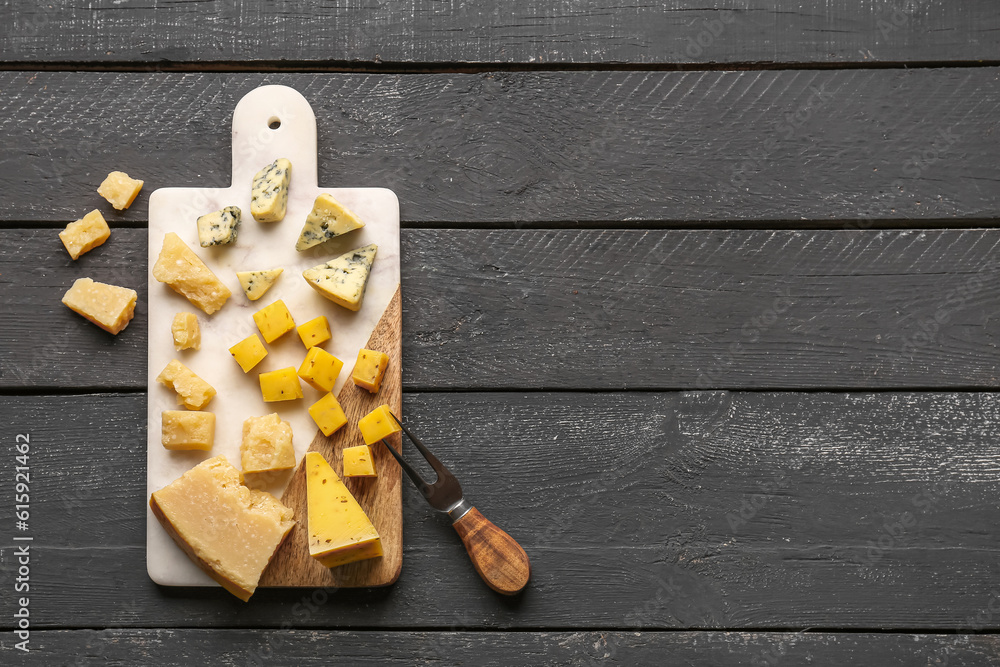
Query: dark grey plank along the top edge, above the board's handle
[515, 32]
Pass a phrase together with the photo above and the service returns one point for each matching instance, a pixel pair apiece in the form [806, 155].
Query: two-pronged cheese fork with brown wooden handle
[497, 557]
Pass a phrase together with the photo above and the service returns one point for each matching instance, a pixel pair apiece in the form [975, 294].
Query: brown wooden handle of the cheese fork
[498, 558]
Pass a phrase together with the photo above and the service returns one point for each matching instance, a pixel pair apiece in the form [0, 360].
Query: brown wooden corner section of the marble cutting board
[380, 497]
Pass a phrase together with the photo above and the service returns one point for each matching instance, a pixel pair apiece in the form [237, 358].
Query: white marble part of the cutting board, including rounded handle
[258, 246]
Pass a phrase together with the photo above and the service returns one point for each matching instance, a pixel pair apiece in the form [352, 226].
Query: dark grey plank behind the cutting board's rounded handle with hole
[794, 147]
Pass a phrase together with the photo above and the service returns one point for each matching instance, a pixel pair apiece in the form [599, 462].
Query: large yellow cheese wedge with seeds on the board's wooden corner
[339, 530]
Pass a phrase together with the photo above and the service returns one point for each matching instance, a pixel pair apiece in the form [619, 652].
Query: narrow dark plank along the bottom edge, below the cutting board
[504, 649]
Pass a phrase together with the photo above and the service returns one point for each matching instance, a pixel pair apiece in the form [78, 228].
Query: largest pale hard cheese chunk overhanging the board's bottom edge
[231, 532]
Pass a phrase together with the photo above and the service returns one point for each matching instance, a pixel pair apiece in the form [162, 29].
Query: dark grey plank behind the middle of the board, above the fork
[621, 309]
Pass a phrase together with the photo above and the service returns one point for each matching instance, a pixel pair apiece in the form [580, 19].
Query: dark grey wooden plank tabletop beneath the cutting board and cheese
[701, 299]
